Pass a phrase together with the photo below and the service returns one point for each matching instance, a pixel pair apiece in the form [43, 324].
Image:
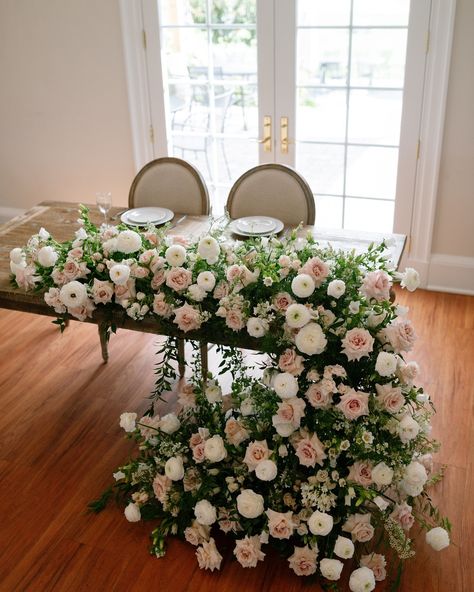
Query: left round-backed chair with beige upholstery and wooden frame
[170, 183]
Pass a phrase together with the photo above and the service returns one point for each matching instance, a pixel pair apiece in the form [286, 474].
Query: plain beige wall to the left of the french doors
[64, 120]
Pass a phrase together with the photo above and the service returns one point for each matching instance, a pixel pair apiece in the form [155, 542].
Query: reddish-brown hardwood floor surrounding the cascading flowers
[60, 442]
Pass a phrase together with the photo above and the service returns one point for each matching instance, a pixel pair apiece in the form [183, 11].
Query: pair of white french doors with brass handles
[333, 89]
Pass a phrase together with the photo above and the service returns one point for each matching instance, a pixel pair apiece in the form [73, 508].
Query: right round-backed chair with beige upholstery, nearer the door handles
[272, 190]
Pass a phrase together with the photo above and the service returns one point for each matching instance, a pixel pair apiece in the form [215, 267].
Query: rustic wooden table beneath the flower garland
[60, 219]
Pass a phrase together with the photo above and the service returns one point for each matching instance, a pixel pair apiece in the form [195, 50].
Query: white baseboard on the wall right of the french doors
[450, 273]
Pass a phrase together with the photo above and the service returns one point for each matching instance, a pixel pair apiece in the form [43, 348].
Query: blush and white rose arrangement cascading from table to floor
[324, 450]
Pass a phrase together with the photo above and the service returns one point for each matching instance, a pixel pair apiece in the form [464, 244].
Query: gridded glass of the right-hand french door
[350, 74]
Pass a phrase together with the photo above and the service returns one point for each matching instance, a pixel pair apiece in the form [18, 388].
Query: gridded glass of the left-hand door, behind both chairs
[209, 62]
